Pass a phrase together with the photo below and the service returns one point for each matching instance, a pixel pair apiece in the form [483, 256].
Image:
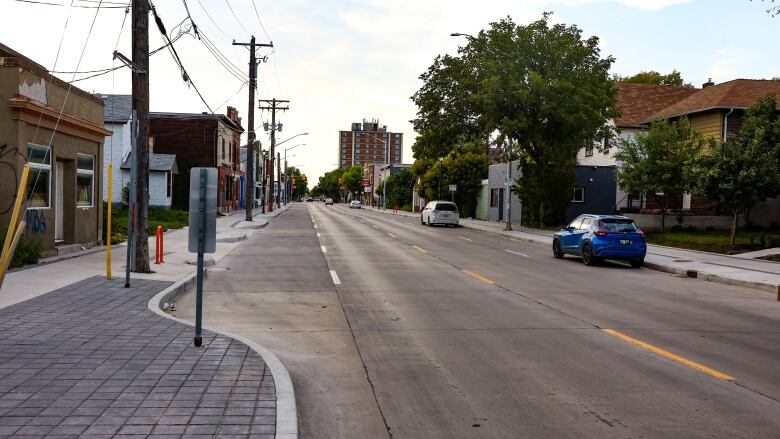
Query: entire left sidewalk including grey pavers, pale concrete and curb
[131, 371]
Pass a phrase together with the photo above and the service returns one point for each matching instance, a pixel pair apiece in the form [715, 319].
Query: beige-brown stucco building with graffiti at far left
[58, 129]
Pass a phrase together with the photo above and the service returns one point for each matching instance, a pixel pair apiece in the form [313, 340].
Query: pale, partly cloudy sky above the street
[338, 62]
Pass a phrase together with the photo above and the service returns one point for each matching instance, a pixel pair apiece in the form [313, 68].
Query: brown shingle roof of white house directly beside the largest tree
[638, 102]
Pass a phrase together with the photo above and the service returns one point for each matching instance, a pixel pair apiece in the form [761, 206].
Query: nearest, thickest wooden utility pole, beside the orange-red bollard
[141, 106]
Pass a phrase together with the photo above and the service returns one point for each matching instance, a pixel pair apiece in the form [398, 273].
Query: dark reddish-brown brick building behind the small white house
[208, 140]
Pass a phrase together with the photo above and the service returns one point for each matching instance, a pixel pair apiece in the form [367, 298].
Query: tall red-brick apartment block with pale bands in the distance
[367, 143]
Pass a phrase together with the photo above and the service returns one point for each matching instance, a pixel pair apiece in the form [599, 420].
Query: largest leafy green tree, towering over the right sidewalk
[542, 86]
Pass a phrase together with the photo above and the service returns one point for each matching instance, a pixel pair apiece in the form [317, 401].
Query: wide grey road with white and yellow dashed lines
[391, 328]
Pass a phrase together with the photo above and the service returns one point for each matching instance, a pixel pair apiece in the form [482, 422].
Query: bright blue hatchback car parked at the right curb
[596, 237]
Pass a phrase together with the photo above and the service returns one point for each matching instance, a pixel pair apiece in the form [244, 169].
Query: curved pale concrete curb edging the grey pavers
[286, 412]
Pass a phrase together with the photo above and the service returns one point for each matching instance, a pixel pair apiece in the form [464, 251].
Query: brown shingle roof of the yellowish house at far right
[738, 93]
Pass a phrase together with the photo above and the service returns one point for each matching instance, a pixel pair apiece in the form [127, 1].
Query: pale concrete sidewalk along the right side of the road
[732, 270]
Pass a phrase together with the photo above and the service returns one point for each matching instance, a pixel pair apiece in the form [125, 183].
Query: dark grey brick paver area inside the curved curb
[90, 360]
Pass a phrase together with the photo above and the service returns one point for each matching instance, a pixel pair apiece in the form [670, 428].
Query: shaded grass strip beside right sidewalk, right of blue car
[716, 241]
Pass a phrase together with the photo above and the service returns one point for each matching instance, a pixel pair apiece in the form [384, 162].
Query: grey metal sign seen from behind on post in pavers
[203, 231]
